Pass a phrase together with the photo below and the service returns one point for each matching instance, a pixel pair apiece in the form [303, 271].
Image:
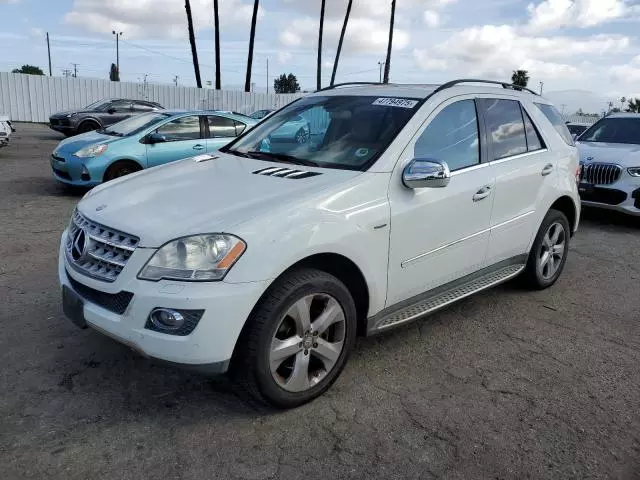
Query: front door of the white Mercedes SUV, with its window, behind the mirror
[441, 234]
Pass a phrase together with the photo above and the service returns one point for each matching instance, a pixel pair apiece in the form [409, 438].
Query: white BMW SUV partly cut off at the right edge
[610, 161]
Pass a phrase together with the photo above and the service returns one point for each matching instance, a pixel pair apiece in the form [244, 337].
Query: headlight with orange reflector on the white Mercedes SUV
[196, 258]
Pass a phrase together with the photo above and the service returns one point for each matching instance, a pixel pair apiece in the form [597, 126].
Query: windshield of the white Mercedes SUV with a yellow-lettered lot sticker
[346, 132]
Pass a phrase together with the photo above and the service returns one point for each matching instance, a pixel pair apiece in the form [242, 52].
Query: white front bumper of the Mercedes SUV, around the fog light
[208, 348]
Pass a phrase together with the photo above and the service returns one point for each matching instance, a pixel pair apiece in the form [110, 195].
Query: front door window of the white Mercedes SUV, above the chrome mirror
[452, 136]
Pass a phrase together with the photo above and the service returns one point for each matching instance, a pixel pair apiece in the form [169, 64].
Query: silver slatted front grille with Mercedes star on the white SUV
[98, 251]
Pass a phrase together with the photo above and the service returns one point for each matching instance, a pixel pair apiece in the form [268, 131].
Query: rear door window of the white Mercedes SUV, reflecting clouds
[505, 127]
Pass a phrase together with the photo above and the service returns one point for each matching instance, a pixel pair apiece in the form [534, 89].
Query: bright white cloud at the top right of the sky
[552, 14]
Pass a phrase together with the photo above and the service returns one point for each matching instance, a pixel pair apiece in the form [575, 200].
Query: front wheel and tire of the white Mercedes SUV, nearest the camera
[300, 373]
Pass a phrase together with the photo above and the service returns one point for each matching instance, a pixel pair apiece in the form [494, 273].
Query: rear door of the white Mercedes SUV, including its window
[524, 170]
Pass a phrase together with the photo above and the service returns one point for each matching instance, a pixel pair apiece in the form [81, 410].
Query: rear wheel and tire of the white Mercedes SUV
[540, 274]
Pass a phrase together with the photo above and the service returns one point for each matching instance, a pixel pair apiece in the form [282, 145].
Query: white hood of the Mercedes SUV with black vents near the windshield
[190, 197]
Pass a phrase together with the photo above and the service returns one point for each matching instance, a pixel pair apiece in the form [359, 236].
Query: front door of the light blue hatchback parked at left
[184, 137]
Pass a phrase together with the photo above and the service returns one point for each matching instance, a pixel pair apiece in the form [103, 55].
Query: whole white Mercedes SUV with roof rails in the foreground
[266, 259]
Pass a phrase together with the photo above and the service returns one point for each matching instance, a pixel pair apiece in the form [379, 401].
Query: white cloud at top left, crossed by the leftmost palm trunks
[156, 18]
